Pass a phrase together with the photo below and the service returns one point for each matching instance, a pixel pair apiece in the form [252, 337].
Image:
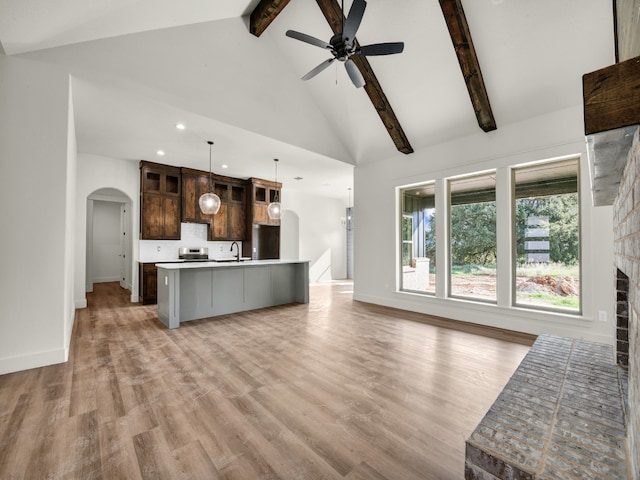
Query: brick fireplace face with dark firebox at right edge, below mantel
[627, 261]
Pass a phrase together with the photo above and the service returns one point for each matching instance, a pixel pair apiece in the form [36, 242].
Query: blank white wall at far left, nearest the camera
[36, 154]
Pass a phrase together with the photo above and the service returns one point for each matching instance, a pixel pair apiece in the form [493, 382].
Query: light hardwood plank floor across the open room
[334, 389]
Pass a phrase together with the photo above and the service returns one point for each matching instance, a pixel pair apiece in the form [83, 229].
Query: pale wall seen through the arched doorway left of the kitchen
[106, 241]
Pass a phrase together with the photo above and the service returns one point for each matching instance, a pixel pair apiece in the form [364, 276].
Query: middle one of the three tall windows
[472, 237]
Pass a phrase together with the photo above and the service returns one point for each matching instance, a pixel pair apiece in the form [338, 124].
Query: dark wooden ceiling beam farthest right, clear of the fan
[468, 60]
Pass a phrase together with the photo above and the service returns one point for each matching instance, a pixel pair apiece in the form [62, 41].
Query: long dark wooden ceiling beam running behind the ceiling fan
[334, 16]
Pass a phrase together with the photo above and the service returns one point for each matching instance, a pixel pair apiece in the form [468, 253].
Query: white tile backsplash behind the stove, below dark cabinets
[193, 235]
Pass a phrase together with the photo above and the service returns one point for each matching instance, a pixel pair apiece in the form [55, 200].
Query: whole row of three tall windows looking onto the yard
[543, 221]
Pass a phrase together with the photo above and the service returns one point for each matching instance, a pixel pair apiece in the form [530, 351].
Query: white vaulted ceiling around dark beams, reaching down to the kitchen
[140, 66]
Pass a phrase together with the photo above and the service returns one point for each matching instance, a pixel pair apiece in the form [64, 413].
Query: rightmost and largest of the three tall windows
[547, 236]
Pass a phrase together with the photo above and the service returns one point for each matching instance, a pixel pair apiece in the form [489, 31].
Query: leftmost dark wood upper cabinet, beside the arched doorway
[160, 201]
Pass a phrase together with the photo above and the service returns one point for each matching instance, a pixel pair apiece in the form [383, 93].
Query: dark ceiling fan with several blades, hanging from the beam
[342, 45]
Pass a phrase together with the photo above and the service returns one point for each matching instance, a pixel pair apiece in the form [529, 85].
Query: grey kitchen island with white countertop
[190, 291]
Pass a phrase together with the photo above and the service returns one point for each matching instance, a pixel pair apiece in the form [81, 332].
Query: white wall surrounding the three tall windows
[545, 137]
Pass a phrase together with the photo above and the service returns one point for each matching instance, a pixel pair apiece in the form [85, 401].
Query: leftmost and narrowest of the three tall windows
[418, 238]
